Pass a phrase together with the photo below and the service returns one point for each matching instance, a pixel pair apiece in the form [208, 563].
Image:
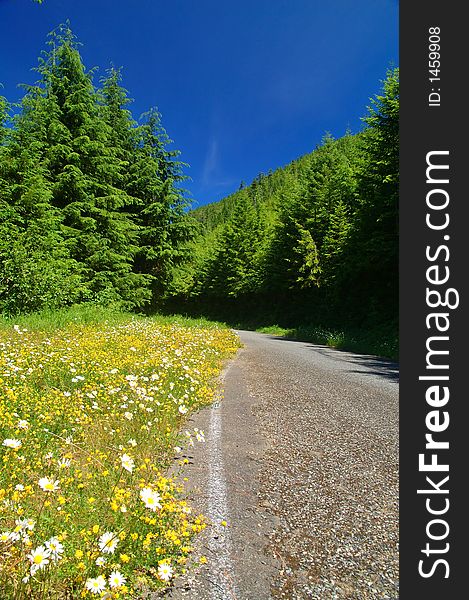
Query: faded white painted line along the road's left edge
[222, 585]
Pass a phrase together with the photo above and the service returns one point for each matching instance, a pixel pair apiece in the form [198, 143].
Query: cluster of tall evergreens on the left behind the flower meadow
[91, 205]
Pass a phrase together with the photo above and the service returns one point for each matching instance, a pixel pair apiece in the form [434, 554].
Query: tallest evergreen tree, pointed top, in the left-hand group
[85, 171]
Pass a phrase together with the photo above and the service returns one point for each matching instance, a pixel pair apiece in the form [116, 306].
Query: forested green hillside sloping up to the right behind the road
[315, 242]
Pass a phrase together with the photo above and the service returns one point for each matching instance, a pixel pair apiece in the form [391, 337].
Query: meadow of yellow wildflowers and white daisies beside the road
[91, 418]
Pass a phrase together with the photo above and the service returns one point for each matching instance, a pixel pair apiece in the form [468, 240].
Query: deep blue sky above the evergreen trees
[244, 86]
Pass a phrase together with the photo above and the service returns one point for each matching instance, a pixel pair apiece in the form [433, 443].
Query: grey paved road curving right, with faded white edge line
[301, 460]
